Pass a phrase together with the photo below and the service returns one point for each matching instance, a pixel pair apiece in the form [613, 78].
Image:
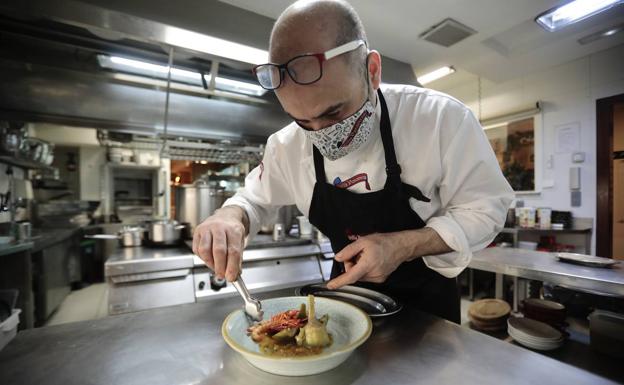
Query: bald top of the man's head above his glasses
[312, 26]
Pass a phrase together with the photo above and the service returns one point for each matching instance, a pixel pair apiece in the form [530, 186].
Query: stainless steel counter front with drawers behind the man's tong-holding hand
[141, 278]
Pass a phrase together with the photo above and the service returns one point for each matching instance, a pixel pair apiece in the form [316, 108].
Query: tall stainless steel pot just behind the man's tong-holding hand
[196, 202]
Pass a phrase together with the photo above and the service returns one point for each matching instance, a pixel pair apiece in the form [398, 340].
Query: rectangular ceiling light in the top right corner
[573, 12]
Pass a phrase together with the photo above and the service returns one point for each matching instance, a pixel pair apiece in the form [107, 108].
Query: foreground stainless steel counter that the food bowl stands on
[183, 345]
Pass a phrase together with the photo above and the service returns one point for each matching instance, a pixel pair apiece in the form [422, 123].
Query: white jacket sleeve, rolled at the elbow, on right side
[474, 197]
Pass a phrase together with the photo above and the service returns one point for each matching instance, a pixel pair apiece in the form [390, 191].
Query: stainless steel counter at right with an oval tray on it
[543, 266]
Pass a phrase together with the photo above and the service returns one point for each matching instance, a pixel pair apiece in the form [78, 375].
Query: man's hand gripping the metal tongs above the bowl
[219, 241]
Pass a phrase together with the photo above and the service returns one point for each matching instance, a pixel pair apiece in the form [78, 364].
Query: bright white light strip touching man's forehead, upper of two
[215, 46]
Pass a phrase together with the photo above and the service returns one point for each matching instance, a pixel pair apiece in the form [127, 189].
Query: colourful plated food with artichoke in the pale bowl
[293, 333]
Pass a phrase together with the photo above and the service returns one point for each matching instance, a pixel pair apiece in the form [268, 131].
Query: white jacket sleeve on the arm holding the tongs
[266, 189]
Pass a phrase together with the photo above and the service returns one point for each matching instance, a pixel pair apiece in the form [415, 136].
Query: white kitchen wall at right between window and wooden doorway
[568, 93]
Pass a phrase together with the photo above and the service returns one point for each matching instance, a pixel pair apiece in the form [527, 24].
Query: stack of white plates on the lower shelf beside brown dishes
[534, 334]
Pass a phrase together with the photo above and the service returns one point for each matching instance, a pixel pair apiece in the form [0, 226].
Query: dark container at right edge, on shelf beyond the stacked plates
[606, 332]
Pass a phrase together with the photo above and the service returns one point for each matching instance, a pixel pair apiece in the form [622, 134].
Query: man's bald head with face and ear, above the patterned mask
[346, 81]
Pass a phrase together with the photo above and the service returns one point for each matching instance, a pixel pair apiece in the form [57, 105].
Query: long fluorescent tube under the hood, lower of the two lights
[139, 67]
